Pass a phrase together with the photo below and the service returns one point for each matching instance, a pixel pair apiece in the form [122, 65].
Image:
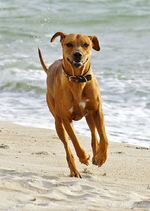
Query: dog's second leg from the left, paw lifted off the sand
[83, 157]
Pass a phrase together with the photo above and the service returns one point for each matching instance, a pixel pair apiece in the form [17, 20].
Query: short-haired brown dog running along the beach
[73, 92]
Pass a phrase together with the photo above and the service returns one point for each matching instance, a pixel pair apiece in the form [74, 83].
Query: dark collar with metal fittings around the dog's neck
[78, 78]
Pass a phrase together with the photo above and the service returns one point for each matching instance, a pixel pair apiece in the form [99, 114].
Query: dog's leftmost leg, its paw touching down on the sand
[69, 156]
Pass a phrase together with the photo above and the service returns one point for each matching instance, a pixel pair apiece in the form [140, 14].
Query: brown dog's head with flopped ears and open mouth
[77, 47]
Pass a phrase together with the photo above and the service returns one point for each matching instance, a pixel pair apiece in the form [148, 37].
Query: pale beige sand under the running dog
[34, 175]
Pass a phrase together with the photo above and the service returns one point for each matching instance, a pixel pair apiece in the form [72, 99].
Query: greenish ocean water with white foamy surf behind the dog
[122, 67]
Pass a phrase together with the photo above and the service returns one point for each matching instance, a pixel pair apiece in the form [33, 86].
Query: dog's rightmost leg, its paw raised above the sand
[101, 154]
